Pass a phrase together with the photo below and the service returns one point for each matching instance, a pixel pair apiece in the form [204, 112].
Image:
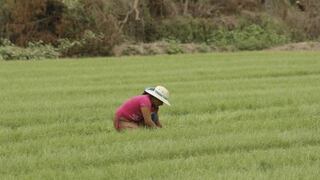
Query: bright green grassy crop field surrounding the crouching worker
[249, 115]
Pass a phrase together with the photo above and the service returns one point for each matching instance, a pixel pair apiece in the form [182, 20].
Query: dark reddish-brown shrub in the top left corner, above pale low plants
[24, 21]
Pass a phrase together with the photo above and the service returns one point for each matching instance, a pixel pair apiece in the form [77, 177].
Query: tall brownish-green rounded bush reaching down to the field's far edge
[94, 31]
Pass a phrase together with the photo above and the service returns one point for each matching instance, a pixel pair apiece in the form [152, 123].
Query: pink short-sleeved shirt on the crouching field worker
[131, 109]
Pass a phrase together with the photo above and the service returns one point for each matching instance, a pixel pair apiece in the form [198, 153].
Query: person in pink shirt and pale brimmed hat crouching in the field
[142, 110]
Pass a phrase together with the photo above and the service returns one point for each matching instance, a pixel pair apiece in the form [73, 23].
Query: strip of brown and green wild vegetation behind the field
[113, 27]
